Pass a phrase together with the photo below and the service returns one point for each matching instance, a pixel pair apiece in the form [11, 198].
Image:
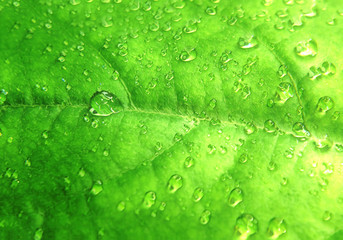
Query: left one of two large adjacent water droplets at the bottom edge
[246, 225]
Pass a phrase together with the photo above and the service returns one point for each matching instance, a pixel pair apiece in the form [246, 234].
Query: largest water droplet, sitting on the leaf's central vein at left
[104, 104]
